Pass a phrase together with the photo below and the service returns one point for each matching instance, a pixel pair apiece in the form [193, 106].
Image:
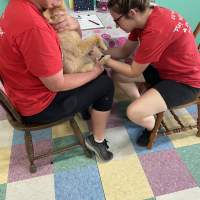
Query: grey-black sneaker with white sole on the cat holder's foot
[100, 149]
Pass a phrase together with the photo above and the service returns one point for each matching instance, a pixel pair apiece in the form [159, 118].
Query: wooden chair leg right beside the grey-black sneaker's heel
[78, 133]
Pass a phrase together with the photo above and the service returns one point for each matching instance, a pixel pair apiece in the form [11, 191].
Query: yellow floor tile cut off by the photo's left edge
[4, 164]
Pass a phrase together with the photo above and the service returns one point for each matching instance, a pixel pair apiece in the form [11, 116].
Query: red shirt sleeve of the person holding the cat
[41, 52]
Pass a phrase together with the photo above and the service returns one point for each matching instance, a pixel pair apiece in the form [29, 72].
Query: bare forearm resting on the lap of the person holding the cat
[61, 82]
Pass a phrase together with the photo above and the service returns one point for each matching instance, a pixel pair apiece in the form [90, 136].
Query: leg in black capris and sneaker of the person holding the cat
[98, 94]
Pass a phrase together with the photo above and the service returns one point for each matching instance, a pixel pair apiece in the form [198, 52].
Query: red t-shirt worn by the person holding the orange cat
[29, 49]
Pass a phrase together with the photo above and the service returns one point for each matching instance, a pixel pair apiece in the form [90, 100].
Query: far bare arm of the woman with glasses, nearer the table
[124, 51]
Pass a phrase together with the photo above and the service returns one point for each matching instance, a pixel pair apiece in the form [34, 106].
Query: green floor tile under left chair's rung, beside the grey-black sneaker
[75, 158]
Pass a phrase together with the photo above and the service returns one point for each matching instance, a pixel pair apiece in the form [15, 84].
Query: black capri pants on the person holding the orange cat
[98, 93]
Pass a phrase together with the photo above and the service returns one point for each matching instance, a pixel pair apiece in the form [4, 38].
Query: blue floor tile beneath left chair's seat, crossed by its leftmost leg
[44, 134]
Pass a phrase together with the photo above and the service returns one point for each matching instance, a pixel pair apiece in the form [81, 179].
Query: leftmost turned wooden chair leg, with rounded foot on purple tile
[30, 150]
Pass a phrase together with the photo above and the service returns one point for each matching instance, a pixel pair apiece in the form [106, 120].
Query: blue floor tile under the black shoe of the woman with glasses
[162, 142]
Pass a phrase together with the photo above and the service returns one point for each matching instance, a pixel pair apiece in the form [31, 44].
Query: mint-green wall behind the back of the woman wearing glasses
[189, 9]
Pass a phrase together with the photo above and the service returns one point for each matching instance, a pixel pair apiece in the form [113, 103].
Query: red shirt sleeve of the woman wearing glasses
[152, 44]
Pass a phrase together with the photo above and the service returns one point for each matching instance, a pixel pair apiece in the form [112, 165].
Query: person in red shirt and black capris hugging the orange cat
[32, 72]
